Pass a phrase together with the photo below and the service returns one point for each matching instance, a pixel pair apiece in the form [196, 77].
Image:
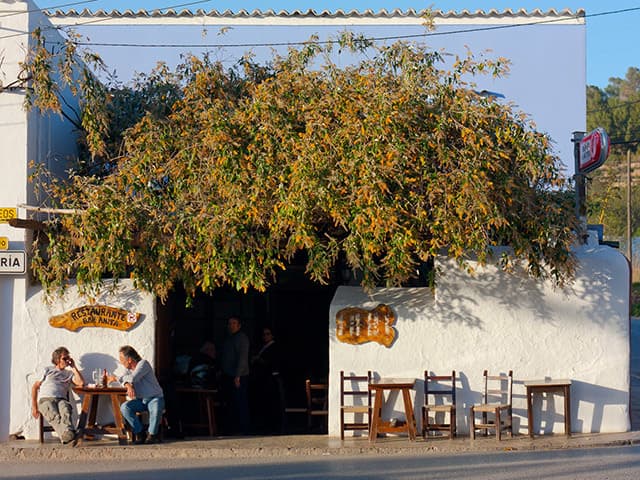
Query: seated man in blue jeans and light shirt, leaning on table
[145, 395]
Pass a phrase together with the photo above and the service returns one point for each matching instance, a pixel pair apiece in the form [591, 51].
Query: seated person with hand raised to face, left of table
[53, 392]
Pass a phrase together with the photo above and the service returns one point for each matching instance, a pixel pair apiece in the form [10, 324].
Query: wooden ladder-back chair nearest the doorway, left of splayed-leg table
[356, 389]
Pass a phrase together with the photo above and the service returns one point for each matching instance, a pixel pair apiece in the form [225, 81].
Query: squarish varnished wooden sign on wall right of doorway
[357, 325]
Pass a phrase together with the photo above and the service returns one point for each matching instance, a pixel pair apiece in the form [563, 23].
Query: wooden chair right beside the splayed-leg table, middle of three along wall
[439, 399]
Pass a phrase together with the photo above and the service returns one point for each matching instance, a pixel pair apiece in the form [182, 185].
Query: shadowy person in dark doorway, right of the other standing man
[268, 390]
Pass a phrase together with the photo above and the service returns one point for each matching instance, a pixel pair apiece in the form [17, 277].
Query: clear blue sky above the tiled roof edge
[612, 39]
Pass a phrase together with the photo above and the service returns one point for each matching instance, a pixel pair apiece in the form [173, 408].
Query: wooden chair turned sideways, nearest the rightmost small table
[496, 400]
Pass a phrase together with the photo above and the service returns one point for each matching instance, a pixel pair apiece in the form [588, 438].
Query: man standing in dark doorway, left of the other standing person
[235, 370]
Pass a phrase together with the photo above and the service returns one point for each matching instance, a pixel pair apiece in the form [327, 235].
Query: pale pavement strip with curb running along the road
[300, 446]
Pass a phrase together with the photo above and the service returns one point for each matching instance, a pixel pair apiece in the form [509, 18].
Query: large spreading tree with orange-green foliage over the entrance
[231, 172]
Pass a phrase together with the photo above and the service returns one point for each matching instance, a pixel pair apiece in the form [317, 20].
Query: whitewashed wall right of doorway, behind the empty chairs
[502, 322]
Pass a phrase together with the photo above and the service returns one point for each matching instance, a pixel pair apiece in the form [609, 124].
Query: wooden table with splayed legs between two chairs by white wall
[403, 385]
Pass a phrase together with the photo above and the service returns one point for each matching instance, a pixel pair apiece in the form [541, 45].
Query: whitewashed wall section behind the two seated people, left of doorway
[34, 340]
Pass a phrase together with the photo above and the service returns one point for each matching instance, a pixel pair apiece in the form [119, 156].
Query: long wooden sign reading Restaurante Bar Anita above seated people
[95, 316]
